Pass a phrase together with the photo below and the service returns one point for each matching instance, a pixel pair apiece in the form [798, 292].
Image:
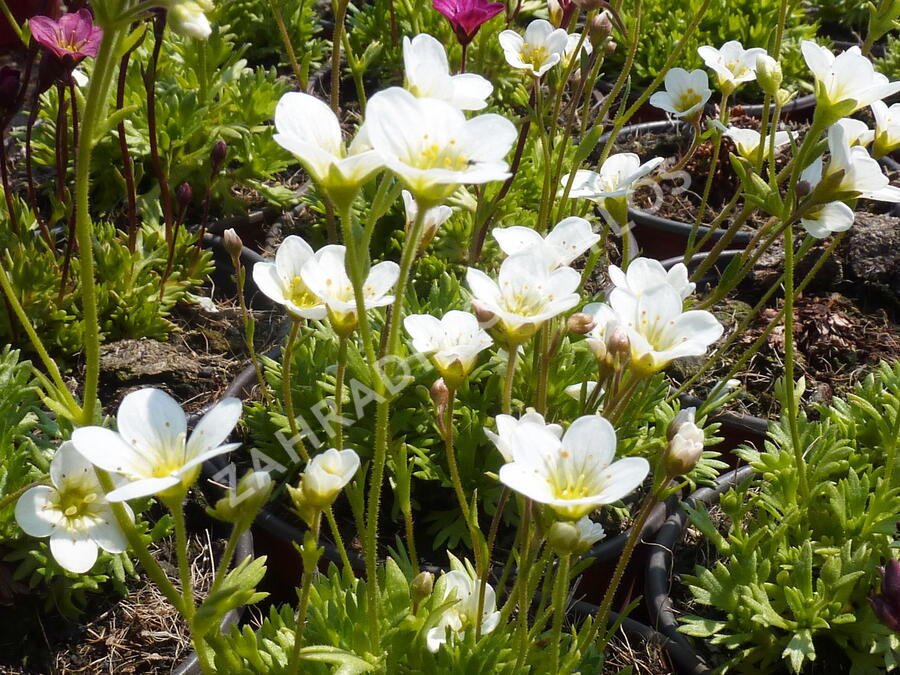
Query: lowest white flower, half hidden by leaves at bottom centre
[461, 584]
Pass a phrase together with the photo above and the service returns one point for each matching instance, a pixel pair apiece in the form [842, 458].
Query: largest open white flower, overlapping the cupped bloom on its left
[432, 147]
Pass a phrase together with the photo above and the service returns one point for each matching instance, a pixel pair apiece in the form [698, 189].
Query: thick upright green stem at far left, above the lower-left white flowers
[94, 111]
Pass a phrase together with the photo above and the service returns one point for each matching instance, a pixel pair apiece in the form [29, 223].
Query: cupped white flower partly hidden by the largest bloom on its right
[308, 128]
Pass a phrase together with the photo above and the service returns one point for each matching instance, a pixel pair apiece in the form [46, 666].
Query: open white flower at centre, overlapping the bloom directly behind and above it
[526, 294]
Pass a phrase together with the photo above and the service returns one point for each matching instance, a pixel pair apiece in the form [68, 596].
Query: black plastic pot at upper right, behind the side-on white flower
[660, 237]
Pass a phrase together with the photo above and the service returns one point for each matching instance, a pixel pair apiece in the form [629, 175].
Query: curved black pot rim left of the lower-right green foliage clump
[658, 577]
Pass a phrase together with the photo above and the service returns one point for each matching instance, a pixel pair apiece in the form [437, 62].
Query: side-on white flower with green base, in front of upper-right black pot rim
[617, 178]
